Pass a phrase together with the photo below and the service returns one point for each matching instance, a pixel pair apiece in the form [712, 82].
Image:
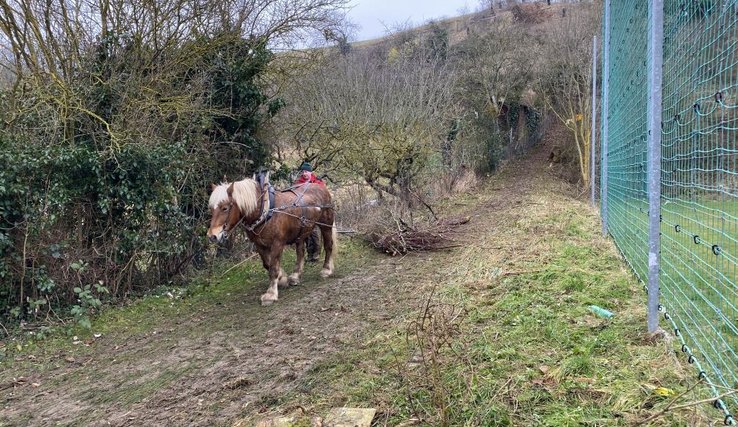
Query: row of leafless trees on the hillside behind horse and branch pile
[411, 109]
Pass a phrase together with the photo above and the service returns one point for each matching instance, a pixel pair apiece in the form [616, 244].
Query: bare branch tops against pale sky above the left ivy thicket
[51, 36]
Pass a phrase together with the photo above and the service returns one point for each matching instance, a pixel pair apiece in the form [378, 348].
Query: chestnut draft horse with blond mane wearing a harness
[274, 219]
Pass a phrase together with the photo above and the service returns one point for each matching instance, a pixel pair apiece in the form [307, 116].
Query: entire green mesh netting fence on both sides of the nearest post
[699, 172]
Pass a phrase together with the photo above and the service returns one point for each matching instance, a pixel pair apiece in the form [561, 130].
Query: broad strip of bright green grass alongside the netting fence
[528, 351]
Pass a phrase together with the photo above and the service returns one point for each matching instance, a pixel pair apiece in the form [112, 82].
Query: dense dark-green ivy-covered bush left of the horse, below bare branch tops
[110, 199]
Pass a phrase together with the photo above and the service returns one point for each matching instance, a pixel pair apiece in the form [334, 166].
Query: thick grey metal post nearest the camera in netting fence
[655, 61]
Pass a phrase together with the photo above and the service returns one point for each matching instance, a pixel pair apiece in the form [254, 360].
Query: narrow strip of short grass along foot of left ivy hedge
[204, 296]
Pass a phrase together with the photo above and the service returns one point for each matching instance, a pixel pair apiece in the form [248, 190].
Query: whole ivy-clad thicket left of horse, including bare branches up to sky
[118, 114]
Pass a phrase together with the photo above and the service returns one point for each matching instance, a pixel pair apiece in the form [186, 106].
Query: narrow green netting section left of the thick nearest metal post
[626, 156]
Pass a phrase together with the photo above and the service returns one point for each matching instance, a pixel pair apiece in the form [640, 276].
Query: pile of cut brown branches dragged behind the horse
[399, 238]
